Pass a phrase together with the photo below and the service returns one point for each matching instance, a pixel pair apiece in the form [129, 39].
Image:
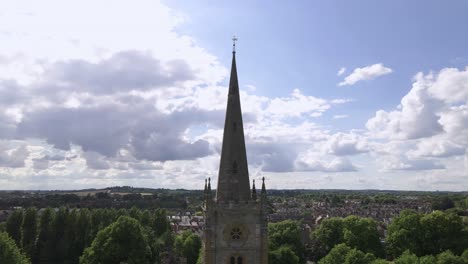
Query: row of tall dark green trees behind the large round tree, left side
[52, 237]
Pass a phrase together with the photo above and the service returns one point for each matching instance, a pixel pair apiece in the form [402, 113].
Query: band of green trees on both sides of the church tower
[143, 236]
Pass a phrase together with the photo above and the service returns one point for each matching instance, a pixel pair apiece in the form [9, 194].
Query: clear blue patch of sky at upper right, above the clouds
[303, 44]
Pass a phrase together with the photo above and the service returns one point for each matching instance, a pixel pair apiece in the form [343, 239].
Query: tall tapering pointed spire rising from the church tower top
[233, 179]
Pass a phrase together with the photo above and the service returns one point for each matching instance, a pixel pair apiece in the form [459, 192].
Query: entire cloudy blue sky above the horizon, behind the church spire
[335, 94]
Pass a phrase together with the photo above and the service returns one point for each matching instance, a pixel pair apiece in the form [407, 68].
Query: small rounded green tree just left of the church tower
[188, 245]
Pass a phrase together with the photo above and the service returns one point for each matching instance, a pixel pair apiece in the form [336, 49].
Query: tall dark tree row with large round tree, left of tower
[97, 236]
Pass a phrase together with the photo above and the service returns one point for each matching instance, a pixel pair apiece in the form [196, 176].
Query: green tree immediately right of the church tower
[286, 233]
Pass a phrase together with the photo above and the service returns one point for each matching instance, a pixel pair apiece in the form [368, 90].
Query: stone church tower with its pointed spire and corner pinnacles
[235, 229]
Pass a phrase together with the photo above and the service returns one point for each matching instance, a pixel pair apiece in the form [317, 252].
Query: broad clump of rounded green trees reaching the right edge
[438, 237]
